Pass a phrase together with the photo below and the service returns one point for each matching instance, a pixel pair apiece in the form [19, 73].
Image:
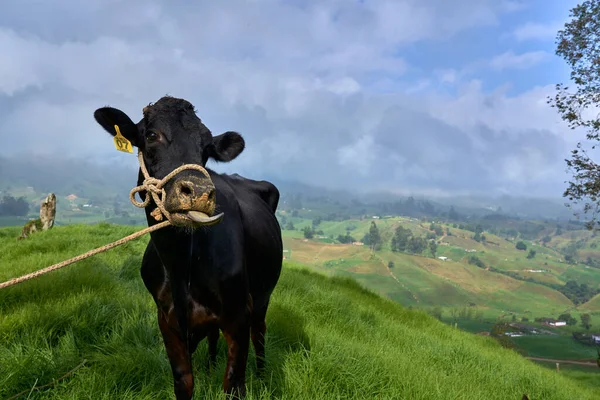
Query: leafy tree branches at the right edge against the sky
[578, 45]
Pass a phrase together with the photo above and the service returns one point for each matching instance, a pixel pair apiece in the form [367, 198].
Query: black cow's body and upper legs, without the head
[221, 277]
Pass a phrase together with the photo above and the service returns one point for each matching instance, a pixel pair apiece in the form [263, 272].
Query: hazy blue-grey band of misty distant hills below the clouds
[109, 179]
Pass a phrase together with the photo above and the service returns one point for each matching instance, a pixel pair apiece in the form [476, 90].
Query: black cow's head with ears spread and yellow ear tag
[170, 135]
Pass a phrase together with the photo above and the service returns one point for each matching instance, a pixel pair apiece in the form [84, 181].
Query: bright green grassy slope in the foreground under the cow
[327, 337]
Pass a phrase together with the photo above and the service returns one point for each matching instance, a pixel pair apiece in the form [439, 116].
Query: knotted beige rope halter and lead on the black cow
[153, 187]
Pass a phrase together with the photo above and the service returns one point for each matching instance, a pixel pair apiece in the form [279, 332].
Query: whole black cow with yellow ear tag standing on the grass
[205, 278]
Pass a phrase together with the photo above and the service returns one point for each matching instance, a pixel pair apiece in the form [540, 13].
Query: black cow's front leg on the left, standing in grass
[179, 357]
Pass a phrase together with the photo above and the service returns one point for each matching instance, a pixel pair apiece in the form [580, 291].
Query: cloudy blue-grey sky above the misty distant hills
[427, 96]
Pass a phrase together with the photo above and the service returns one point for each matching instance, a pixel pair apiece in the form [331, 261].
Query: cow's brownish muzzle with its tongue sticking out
[191, 201]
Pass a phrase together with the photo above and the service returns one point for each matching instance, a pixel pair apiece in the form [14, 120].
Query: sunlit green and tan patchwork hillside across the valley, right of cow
[421, 280]
